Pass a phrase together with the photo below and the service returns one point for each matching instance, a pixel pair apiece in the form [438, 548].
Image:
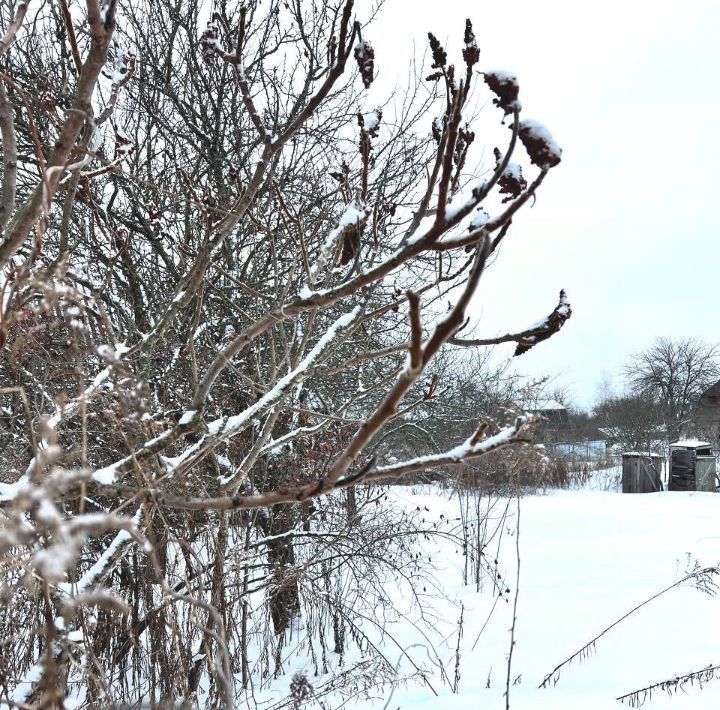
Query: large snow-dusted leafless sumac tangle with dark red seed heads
[224, 279]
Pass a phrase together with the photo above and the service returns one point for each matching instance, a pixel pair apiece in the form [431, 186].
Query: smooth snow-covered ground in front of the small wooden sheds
[587, 557]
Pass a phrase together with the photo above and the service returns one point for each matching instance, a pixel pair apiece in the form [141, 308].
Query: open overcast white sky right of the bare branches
[627, 224]
